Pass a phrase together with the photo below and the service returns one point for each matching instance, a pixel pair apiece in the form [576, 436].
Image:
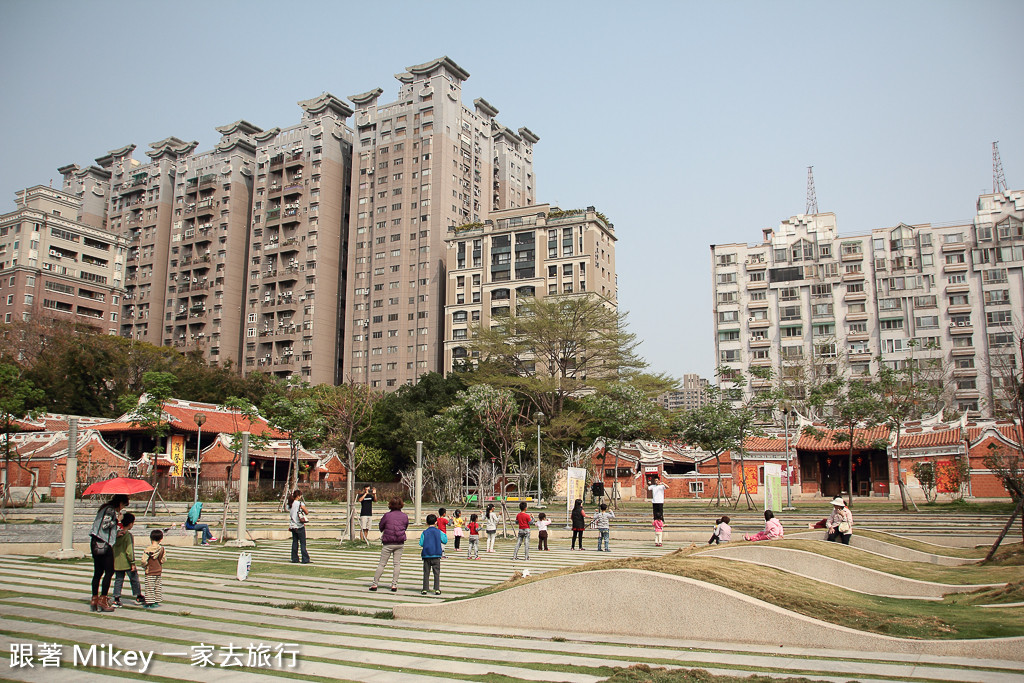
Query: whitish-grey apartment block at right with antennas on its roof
[807, 303]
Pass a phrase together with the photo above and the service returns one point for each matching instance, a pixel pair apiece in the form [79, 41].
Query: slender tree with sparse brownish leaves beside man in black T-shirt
[348, 413]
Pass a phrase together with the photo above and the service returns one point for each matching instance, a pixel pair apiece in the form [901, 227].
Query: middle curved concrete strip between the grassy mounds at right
[837, 573]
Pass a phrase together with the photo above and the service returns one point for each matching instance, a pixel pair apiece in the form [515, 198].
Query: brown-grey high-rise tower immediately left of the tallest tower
[296, 274]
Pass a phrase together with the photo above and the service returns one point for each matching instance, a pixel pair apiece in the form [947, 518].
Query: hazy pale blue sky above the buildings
[687, 123]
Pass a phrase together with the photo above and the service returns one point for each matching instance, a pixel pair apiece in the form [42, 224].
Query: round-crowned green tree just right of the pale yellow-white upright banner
[623, 413]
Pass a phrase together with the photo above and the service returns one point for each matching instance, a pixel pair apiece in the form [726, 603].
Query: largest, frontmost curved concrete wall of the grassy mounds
[678, 608]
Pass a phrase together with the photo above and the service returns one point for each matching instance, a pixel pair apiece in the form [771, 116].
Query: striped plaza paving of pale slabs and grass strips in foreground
[244, 637]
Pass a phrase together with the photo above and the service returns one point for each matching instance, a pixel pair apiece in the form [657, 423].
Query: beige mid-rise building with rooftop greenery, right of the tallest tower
[520, 254]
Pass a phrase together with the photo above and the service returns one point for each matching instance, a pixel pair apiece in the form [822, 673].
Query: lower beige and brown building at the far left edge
[55, 266]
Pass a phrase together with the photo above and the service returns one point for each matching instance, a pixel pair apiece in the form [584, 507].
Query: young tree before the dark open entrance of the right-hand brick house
[845, 407]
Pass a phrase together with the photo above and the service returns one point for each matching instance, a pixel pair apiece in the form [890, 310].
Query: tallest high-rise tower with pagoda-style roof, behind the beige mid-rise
[422, 164]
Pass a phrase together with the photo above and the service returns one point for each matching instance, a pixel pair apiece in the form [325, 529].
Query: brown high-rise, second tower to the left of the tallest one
[209, 244]
